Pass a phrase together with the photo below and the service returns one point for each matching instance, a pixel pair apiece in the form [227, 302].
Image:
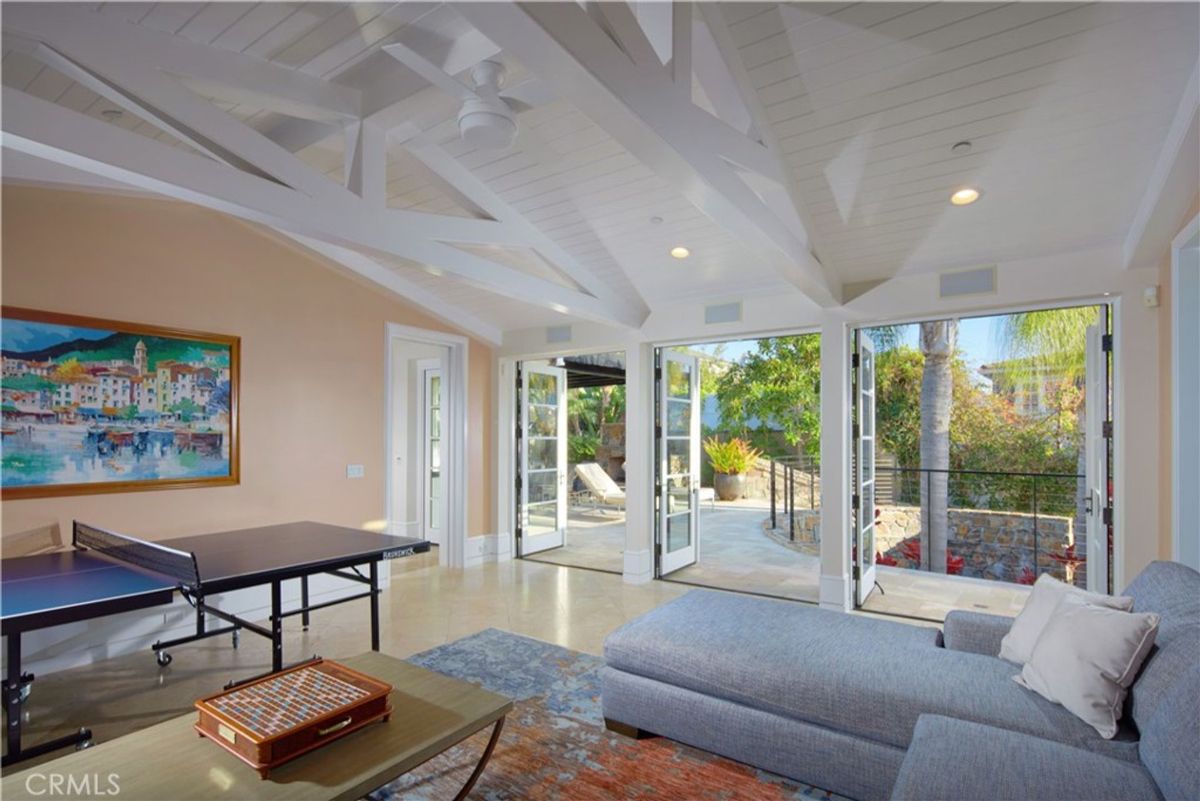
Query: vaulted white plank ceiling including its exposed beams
[793, 148]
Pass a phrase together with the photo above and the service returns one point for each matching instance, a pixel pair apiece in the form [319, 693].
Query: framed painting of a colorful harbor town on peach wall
[94, 406]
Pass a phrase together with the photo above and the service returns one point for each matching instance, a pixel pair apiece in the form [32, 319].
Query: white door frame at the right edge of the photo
[1186, 398]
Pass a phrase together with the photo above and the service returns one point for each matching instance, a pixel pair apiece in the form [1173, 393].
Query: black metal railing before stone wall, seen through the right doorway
[1000, 526]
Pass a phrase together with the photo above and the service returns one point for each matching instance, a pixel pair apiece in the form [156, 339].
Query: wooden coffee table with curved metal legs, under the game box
[430, 713]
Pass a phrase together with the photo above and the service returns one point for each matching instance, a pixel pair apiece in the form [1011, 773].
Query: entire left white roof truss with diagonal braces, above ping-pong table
[257, 178]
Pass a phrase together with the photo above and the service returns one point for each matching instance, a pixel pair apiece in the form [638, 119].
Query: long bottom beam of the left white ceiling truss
[51, 133]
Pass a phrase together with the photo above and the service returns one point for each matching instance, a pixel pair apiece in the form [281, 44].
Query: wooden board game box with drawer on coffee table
[277, 719]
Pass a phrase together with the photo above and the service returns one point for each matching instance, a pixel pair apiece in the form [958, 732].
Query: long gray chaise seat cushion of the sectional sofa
[865, 677]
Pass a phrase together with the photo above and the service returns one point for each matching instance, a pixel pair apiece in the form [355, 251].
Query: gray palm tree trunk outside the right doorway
[938, 345]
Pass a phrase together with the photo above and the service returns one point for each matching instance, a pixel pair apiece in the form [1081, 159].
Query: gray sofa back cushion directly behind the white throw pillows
[1172, 591]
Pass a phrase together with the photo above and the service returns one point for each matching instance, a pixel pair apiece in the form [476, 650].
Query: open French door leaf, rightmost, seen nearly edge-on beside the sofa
[1096, 454]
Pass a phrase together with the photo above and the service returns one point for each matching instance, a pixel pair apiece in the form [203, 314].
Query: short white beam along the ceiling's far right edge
[1173, 185]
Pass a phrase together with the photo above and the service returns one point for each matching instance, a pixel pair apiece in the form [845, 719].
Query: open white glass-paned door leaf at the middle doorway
[680, 461]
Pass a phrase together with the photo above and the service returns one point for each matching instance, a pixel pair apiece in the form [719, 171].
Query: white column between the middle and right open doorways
[836, 409]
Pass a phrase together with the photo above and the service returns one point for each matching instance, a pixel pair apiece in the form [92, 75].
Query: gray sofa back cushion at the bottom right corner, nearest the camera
[1169, 739]
